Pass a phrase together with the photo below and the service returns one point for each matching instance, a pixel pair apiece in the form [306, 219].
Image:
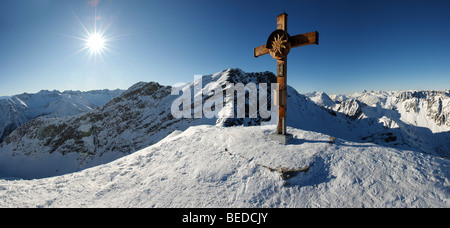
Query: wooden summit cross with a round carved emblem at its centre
[278, 45]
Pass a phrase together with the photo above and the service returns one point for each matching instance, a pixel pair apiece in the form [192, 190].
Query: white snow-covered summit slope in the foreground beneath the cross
[212, 166]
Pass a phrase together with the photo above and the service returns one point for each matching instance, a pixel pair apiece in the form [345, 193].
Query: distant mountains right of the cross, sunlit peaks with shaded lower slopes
[420, 119]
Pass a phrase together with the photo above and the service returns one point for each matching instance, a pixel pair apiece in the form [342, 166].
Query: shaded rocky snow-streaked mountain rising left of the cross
[139, 117]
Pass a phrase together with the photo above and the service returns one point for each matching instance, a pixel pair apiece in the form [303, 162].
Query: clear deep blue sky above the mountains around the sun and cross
[372, 45]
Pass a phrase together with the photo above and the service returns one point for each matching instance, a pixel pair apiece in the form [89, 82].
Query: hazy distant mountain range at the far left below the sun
[19, 109]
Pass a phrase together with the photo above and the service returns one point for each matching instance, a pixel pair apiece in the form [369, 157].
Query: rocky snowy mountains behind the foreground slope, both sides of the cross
[141, 116]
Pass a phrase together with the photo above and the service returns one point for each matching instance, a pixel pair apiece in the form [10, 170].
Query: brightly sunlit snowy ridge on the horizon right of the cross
[428, 109]
